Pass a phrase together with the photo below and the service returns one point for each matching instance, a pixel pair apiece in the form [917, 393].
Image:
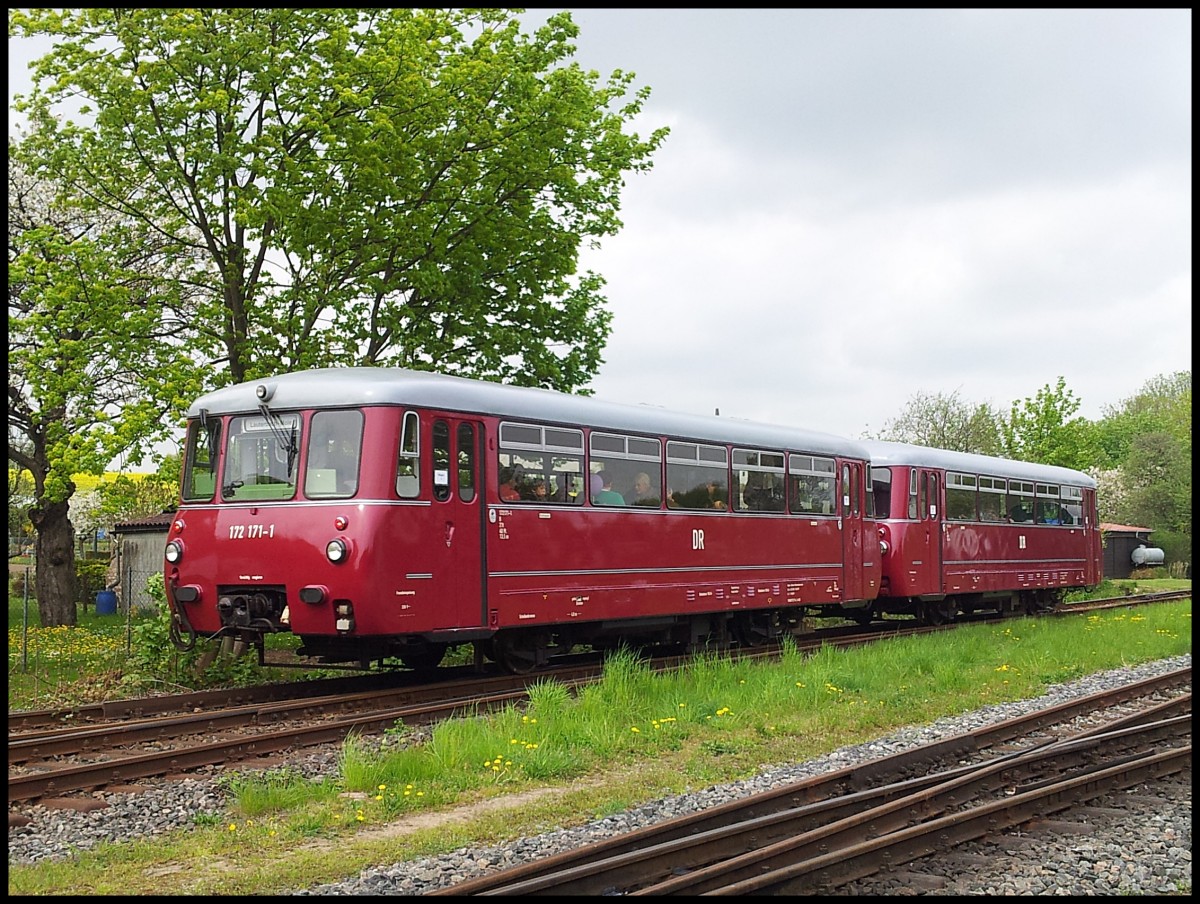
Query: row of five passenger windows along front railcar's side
[549, 465]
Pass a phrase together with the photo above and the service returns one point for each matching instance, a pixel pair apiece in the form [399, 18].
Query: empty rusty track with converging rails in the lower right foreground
[818, 835]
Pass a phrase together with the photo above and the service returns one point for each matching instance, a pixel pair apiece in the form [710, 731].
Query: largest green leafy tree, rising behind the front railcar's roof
[375, 187]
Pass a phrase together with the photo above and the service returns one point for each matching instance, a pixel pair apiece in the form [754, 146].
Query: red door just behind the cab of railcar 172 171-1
[458, 549]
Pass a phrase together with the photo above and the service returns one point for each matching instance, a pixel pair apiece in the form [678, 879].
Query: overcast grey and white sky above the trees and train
[859, 206]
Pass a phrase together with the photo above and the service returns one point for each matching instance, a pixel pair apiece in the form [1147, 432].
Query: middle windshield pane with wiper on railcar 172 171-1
[261, 458]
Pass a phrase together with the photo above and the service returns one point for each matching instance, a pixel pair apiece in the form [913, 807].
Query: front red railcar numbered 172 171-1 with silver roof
[383, 513]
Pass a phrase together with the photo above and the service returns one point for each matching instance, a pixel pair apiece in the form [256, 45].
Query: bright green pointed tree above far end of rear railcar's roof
[1043, 429]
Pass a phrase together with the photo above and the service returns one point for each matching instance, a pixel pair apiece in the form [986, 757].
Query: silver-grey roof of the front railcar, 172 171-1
[346, 387]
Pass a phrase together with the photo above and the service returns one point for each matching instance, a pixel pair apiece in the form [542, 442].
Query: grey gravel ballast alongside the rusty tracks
[1143, 849]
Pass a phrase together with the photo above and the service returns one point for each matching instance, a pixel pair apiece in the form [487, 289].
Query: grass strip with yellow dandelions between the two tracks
[566, 759]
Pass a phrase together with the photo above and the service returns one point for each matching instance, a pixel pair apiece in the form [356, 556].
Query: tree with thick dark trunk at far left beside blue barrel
[93, 361]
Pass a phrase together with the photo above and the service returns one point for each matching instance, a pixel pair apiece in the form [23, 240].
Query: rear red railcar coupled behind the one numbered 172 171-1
[969, 532]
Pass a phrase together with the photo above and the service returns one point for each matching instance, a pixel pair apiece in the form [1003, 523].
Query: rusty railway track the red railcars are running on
[129, 741]
